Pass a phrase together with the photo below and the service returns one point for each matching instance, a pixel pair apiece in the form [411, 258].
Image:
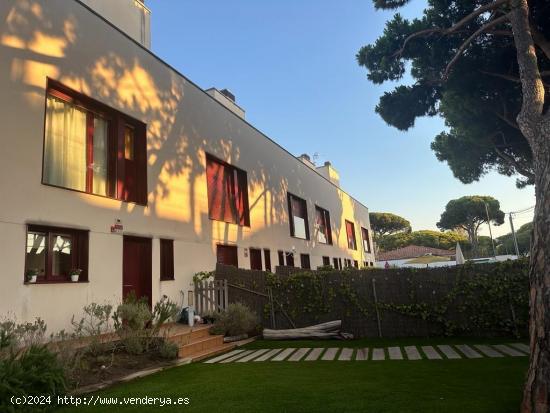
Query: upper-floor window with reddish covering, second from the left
[227, 192]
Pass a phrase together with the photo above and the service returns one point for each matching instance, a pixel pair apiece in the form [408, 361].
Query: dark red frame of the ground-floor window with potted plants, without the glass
[79, 253]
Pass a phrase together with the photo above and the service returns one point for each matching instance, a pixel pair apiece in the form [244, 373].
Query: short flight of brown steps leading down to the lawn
[196, 343]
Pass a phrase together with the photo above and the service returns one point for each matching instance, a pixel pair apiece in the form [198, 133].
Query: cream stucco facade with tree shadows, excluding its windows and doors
[67, 42]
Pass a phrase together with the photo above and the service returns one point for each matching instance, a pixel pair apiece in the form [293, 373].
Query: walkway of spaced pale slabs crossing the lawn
[440, 352]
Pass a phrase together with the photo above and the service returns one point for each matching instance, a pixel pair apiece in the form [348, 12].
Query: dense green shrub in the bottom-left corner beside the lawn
[36, 371]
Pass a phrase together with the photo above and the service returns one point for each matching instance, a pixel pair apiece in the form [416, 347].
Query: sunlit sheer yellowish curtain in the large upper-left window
[65, 146]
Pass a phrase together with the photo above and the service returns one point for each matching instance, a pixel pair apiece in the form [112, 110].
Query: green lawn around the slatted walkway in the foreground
[481, 385]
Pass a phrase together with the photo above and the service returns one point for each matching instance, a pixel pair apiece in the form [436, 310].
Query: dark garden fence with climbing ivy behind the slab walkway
[478, 300]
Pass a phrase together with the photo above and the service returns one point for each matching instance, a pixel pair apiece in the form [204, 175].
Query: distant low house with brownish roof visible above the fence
[416, 256]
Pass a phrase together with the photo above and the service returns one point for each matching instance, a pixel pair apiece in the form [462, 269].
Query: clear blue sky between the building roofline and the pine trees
[291, 65]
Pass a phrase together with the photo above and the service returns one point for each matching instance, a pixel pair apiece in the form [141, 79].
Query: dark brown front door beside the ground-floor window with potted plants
[137, 267]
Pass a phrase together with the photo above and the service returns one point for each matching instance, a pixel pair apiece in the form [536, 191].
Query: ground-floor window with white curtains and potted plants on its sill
[54, 252]
